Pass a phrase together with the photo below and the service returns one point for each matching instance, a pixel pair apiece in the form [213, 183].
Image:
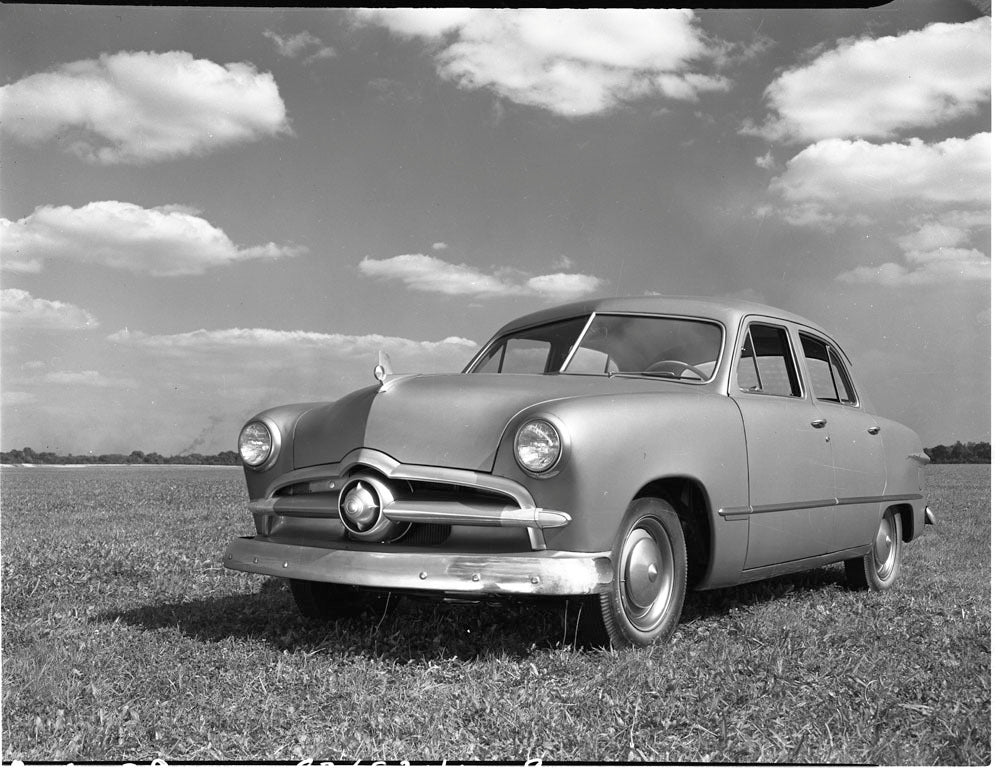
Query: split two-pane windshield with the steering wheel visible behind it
[666, 347]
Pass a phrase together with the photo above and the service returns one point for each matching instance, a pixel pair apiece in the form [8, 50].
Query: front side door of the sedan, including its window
[789, 457]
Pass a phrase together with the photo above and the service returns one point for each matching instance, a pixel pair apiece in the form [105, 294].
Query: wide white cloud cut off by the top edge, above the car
[569, 61]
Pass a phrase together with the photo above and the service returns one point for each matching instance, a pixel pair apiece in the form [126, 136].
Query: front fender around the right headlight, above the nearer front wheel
[619, 444]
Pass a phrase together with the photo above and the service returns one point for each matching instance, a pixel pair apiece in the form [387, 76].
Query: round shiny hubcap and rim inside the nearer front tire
[646, 571]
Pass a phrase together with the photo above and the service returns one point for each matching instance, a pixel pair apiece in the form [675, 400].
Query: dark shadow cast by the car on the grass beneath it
[425, 629]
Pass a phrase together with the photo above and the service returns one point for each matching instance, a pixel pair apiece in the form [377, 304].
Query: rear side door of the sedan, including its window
[858, 458]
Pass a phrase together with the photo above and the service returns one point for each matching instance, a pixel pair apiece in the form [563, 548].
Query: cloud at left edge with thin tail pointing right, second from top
[164, 241]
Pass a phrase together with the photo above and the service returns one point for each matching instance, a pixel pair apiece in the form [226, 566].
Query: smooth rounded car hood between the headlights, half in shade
[450, 420]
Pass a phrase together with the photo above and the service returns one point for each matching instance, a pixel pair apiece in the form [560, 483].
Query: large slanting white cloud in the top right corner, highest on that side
[877, 88]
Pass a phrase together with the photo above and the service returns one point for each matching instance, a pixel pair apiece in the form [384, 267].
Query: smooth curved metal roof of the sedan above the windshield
[729, 311]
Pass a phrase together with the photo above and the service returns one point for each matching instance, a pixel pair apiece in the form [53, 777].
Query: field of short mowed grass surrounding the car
[124, 639]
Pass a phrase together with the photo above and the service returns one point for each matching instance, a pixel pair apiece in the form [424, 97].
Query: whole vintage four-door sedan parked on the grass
[620, 450]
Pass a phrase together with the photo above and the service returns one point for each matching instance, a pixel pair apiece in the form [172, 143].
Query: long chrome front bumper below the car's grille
[538, 573]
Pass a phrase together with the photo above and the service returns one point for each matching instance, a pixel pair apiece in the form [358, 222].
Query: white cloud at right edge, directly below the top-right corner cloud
[852, 176]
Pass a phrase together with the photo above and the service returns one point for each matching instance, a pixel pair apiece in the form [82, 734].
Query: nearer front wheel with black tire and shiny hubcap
[649, 558]
